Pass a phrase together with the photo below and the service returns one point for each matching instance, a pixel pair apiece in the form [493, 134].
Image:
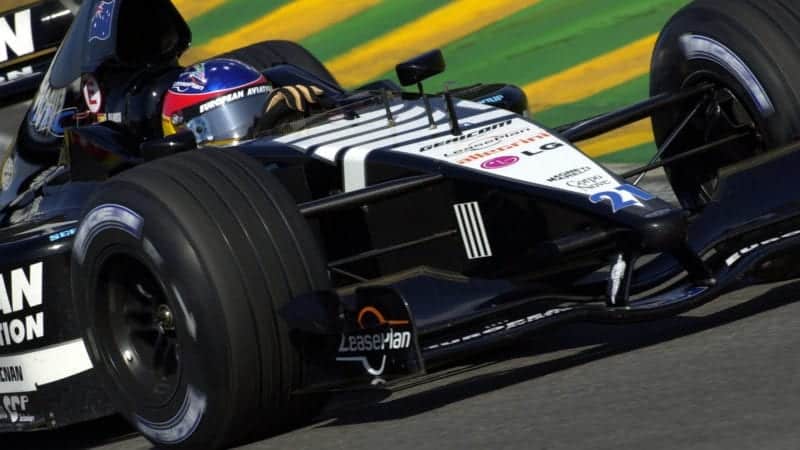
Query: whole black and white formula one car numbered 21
[212, 294]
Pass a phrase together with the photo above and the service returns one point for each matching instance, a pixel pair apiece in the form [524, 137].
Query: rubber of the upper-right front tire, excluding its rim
[737, 62]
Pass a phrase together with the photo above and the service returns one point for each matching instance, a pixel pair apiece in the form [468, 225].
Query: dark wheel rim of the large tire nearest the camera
[138, 330]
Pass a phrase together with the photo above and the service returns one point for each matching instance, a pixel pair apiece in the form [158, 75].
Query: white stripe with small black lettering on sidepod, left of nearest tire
[26, 372]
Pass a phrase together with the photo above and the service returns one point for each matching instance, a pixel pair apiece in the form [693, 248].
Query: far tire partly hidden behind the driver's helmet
[266, 54]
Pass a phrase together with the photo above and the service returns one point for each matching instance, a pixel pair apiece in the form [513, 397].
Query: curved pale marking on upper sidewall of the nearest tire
[102, 218]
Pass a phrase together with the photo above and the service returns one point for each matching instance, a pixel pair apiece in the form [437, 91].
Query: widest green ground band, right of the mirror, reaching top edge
[552, 36]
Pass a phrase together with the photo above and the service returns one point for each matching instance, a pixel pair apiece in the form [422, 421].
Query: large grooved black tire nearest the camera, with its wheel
[180, 269]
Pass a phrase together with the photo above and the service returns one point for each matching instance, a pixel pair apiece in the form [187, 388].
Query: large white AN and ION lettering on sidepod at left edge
[21, 292]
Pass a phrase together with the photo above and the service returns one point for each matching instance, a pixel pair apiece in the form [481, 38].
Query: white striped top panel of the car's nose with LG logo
[493, 141]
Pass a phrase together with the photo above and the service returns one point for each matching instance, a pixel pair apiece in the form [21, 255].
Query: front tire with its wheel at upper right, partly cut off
[750, 51]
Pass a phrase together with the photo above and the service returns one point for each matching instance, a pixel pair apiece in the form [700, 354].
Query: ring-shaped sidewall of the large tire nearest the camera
[162, 246]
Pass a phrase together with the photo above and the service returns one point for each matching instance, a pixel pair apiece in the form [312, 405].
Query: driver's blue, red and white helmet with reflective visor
[219, 100]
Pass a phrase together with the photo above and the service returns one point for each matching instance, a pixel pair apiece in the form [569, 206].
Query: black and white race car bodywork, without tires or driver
[449, 224]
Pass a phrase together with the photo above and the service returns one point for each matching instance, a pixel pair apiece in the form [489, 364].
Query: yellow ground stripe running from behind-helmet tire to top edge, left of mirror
[440, 27]
